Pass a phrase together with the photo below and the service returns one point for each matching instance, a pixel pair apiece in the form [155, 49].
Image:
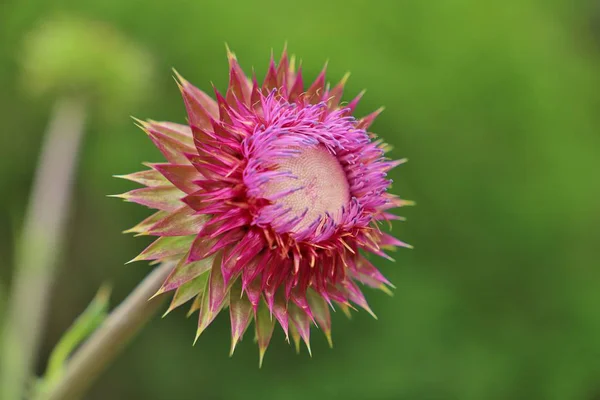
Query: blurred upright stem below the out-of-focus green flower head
[39, 246]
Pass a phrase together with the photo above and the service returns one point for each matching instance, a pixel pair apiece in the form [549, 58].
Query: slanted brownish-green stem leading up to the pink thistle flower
[109, 339]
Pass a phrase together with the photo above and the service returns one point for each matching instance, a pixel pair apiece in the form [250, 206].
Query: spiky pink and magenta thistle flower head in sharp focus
[269, 200]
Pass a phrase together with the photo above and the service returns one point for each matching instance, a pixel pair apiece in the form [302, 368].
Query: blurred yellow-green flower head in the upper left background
[73, 56]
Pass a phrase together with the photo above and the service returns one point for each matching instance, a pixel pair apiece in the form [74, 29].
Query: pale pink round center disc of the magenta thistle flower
[324, 188]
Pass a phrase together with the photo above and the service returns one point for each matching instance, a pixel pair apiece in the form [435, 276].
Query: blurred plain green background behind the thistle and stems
[497, 106]
